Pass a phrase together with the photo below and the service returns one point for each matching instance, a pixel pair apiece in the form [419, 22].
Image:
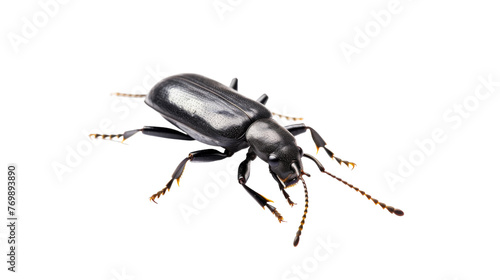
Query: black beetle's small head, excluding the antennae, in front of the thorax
[286, 163]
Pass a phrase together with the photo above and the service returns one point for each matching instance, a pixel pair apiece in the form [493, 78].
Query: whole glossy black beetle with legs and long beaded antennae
[217, 115]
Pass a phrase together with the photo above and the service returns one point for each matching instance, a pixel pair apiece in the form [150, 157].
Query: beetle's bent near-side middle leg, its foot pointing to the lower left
[207, 155]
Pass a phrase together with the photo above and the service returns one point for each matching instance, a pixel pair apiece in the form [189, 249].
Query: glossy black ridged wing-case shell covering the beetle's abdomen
[206, 110]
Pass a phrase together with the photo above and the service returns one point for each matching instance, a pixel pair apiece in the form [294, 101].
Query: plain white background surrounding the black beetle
[94, 220]
